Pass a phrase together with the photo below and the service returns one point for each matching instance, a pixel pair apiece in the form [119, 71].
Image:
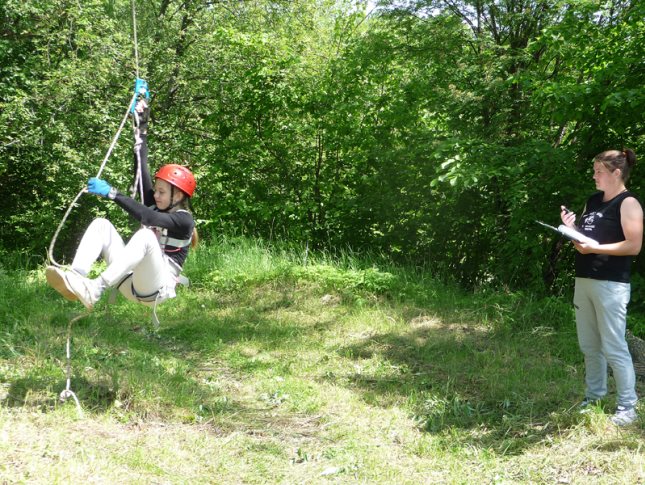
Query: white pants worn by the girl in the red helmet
[139, 266]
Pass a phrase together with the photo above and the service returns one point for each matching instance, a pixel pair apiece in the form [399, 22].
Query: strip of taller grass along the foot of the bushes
[235, 263]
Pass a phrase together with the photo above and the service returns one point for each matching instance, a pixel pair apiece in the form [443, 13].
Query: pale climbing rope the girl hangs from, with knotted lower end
[140, 91]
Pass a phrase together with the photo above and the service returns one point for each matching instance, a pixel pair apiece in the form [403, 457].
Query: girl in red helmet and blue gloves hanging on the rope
[148, 267]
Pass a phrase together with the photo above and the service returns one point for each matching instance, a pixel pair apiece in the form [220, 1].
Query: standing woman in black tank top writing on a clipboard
[614, 218]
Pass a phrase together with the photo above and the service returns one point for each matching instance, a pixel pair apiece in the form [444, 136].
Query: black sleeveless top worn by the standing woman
[601, 221]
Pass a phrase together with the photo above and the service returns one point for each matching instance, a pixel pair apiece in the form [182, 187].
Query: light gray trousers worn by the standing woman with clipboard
[601, 311]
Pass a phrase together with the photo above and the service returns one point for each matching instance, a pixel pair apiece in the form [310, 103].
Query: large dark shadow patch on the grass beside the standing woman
[505, 392]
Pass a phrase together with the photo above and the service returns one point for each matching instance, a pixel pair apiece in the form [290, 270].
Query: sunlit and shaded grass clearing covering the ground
[267, 370]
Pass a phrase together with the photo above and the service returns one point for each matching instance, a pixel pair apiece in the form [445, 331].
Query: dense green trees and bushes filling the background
[435, 132]
